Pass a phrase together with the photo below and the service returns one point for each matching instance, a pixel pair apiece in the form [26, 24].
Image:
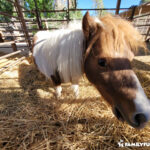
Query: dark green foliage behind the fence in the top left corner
[5, 6]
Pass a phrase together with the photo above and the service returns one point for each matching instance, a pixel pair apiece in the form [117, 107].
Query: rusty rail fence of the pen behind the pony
[20, 28]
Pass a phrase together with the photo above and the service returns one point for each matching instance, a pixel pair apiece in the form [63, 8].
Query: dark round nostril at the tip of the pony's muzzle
[140, 119]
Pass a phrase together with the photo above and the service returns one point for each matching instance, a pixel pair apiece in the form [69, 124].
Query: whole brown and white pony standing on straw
[102, 49]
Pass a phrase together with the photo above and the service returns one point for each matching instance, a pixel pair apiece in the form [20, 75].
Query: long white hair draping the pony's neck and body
[60, 50]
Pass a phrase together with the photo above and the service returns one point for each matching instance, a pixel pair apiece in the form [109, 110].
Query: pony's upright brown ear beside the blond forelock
[90, 25]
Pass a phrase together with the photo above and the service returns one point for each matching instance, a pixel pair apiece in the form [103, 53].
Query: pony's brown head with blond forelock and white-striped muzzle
[107, 65]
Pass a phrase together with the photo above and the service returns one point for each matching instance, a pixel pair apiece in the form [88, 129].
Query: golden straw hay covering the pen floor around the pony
[32, 118]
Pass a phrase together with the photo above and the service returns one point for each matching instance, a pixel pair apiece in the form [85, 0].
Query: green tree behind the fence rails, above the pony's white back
[51, 5]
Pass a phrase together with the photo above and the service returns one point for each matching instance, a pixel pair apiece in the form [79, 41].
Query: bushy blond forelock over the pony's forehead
[120, 35]
